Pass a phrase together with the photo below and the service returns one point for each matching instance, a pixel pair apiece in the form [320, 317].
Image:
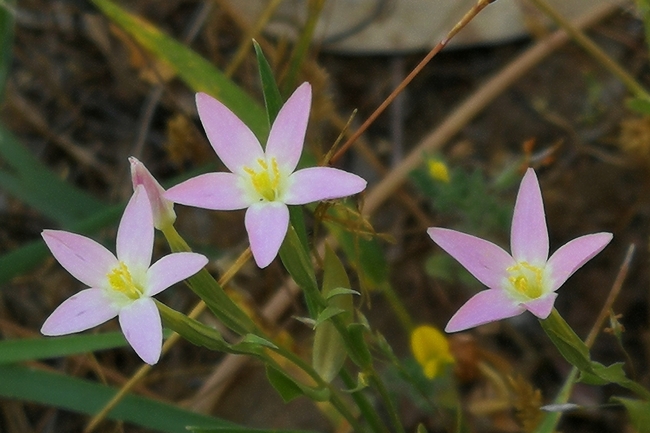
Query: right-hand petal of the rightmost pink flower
[570, 257]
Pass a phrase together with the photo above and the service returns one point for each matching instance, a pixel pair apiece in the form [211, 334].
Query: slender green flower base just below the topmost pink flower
[297, 262]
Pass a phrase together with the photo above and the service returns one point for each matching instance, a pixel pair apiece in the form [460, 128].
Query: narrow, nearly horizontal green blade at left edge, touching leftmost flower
[44, 348]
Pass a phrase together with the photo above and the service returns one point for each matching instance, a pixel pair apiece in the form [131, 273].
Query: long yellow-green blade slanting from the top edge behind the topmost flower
[199, 74]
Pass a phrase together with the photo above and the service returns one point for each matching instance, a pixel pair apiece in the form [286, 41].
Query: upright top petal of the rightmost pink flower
[529, 236]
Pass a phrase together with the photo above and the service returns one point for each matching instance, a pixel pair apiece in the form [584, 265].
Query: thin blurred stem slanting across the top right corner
[628, 80]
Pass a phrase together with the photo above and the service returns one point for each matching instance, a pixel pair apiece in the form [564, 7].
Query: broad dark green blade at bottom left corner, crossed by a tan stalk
[78, 395]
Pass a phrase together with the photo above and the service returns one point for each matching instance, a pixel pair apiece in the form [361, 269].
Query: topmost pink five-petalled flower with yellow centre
[264, 181]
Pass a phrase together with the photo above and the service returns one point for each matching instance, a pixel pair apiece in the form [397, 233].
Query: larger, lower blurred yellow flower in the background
[430, 349]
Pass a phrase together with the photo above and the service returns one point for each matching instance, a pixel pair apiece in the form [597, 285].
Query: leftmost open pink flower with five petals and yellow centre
[119, 286]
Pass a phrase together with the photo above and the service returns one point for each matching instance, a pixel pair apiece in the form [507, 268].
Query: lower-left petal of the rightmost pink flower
[484, 307]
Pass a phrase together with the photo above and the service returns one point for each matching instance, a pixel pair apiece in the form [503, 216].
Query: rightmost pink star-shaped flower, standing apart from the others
[525, 280]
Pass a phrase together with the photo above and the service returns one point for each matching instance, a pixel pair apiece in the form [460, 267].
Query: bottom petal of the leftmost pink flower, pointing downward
[142, 327]
